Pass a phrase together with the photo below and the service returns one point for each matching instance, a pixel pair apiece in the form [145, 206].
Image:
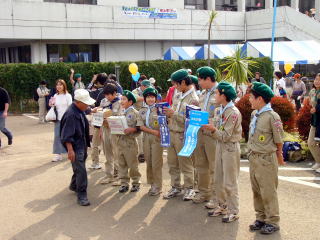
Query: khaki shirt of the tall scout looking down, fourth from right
[177, 120]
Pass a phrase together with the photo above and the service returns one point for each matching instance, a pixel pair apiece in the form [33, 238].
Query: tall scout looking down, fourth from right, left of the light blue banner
[177, 115]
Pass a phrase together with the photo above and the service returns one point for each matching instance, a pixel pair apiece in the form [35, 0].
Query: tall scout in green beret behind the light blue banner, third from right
[206, 147]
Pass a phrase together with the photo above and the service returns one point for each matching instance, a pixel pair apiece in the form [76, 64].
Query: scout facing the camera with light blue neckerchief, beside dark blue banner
[148, 123]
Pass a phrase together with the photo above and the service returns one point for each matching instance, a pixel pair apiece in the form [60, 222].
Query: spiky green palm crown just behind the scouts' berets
[238, 67]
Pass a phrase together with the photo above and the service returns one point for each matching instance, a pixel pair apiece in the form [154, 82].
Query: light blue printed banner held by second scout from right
[197, 119]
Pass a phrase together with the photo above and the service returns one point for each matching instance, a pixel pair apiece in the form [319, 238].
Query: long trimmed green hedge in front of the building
[21, 79]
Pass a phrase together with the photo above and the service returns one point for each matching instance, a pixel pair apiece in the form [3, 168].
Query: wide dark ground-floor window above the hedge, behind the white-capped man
[73, 53]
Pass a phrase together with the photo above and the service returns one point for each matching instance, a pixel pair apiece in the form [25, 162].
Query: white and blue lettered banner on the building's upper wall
[145, 12]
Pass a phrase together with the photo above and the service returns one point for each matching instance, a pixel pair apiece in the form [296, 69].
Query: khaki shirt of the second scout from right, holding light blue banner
[228, 125]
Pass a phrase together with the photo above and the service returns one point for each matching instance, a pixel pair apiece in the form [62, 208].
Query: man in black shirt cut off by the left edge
[4, 106]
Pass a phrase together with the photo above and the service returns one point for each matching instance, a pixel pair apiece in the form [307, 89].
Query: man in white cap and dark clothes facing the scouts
[74, 132]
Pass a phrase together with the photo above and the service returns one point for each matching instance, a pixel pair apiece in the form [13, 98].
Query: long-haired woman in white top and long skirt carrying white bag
[61, 100]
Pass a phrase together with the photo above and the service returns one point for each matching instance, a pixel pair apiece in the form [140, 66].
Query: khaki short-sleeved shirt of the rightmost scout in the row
[268, 132]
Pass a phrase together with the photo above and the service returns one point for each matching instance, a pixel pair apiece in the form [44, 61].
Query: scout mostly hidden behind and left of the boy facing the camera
[138, 93]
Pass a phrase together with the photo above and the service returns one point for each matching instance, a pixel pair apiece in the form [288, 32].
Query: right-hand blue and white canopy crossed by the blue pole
[294, 52]
